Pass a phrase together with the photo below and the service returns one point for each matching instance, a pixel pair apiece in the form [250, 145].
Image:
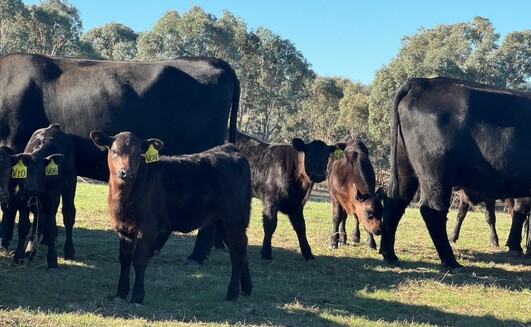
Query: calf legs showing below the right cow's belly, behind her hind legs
[467, 199]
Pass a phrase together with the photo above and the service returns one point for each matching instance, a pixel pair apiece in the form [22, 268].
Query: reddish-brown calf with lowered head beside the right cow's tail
[352, 189]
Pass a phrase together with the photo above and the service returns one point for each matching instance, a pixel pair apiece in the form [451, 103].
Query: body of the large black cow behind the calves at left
[185, 102]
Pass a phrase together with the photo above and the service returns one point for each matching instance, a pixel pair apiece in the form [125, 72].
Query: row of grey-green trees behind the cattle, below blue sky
[281, 96]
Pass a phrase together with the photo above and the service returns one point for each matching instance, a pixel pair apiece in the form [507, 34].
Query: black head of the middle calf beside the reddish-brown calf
[316, 154]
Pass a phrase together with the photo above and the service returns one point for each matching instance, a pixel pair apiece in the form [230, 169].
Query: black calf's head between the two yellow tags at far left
[35, 173]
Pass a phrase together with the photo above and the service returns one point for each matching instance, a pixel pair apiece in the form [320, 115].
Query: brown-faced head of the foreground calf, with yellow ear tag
[125, 153]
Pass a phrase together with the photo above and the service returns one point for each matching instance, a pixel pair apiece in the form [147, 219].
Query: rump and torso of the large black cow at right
[481, 133]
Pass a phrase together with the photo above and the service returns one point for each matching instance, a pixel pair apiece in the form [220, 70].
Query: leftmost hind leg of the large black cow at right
[400, 193]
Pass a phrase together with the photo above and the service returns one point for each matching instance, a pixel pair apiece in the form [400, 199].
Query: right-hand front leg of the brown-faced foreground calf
[141, 255]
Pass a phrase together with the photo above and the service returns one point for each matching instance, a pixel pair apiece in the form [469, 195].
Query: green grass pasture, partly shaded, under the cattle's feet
[350, 286]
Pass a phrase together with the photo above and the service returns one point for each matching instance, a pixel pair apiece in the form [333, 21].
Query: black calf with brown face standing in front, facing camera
[180, 193]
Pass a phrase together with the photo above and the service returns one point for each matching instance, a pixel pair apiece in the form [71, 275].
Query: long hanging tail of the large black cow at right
[396, 134]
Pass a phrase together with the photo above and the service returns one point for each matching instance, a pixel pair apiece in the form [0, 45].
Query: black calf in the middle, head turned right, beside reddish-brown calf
[283, 177]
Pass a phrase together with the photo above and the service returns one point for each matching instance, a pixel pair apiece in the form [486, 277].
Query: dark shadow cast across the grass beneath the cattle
[287, 290]
